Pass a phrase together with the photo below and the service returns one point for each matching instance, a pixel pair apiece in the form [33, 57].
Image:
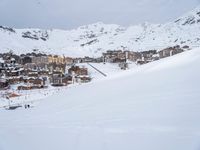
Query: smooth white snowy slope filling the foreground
[155, 106]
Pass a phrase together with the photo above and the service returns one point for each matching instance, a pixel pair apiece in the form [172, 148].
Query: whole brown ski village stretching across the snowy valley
[37, 71]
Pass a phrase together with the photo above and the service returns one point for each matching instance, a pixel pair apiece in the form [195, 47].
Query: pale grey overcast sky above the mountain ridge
[68, 14]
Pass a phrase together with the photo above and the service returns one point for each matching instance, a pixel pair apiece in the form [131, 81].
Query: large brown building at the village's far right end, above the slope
[170, 51]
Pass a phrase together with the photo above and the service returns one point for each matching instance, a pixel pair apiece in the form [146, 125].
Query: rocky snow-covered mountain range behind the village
[96, 38]
